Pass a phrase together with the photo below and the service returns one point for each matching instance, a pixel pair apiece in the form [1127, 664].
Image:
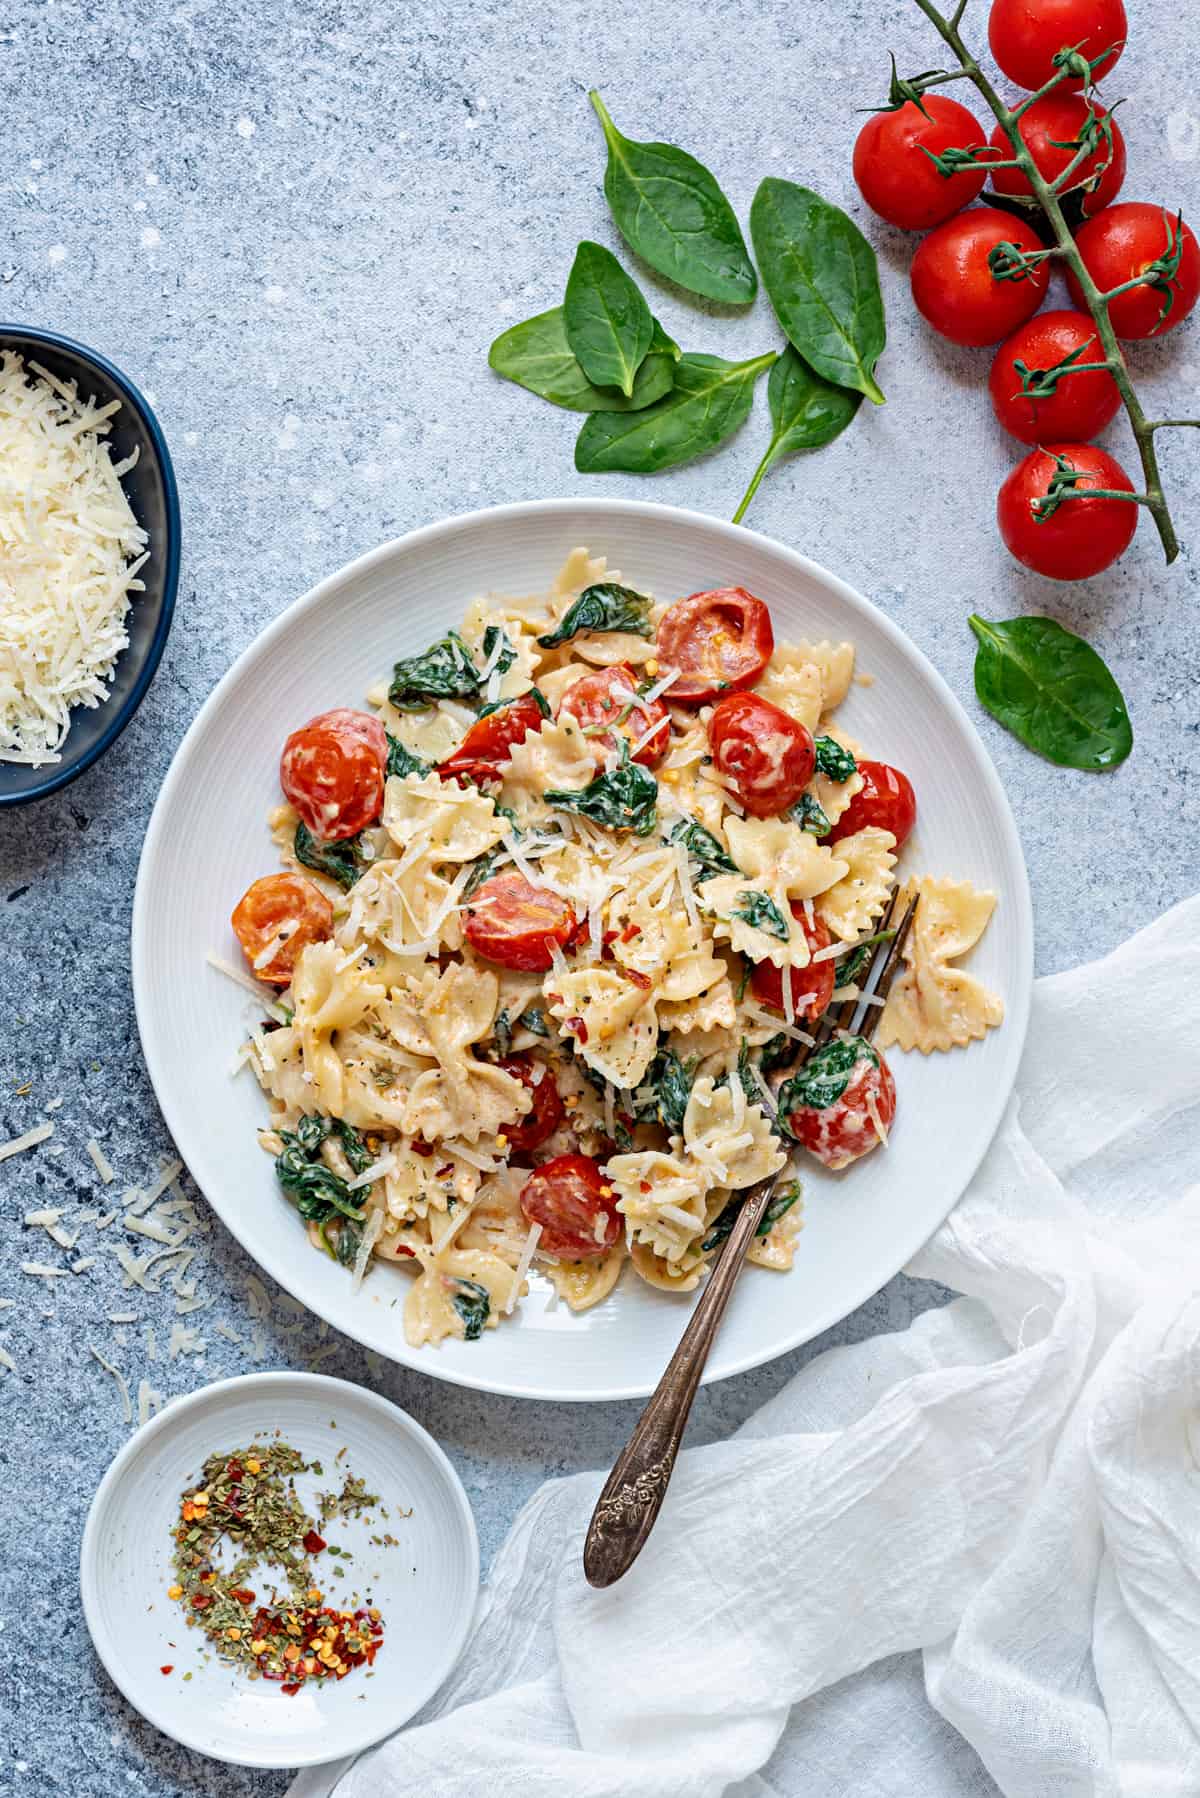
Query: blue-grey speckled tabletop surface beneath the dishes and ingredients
[300, 229]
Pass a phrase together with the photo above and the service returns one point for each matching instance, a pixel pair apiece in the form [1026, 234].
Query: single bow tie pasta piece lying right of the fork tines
[933, 1004]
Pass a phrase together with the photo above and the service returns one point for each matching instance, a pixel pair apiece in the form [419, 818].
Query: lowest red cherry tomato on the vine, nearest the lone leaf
[1080, 537]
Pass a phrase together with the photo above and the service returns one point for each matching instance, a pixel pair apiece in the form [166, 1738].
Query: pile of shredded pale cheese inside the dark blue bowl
[69, 558]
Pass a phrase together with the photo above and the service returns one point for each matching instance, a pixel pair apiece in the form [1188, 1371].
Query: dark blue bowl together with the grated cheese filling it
[89, 558]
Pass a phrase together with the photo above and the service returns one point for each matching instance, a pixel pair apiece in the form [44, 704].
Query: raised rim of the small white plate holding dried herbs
[274, 1378]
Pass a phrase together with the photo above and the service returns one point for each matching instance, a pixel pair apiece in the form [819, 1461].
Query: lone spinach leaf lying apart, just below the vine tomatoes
[1052, 691]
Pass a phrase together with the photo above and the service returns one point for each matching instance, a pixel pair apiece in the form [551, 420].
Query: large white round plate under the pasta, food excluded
[208, 841]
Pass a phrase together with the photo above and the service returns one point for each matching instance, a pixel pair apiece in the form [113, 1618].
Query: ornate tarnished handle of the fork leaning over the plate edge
[627, 1509]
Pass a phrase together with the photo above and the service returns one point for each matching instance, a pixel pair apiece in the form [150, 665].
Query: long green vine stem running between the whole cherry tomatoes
[1066, 247]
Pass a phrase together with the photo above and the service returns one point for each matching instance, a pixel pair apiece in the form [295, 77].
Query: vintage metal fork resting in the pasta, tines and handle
[629, 1508]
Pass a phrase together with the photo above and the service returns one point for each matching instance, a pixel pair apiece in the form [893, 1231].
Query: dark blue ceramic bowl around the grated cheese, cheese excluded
[152, 494]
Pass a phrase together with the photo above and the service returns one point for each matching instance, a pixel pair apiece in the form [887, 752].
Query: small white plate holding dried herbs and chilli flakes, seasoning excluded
[425, 1587]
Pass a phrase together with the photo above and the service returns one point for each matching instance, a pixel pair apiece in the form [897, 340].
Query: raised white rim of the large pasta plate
[1017, 1002]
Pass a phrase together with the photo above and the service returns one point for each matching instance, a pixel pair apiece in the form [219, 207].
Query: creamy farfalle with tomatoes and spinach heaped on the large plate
[557, 923]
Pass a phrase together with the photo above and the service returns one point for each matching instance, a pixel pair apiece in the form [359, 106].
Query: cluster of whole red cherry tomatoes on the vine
[981, 274]
